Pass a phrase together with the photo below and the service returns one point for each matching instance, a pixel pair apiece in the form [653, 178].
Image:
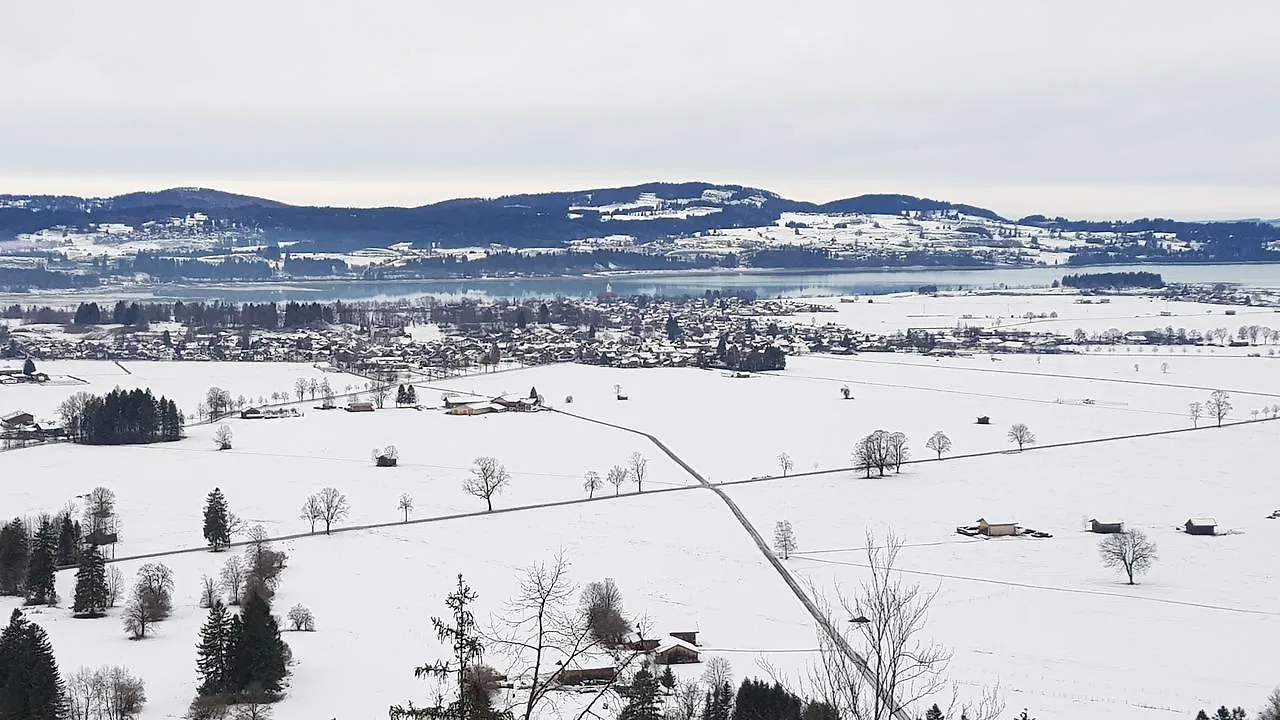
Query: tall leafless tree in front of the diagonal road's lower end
[894, 669]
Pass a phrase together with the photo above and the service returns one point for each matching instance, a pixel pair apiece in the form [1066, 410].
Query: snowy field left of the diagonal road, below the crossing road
[687, 566]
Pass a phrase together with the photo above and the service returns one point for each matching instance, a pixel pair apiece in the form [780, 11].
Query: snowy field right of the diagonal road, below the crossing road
[1064, 636]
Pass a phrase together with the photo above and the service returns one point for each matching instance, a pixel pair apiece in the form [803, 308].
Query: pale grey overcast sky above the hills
[1087, 108]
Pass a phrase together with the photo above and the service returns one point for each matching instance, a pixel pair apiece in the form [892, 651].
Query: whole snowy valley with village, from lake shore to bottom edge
[925, 505]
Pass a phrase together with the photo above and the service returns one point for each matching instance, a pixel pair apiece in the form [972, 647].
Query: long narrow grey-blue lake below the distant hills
[766, 284]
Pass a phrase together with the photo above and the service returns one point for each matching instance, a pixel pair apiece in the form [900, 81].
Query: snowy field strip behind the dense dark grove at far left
[184, 382]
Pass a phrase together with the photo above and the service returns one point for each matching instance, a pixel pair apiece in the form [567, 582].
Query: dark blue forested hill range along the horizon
[644, 212]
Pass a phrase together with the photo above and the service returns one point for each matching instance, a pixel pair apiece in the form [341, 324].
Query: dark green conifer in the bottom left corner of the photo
[31, 687]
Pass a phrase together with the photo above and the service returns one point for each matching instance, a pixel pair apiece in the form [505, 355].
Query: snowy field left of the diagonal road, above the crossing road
[276, 464]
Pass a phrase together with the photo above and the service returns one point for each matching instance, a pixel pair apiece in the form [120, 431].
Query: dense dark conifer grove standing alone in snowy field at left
[121, 418]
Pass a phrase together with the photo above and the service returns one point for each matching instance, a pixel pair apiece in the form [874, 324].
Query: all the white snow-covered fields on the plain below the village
[1059, 634]
